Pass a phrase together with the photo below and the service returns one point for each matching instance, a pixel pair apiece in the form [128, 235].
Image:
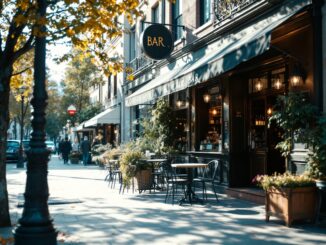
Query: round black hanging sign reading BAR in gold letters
[157, 42]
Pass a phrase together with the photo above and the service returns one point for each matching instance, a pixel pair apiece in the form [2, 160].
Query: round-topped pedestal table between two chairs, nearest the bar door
[190, 194]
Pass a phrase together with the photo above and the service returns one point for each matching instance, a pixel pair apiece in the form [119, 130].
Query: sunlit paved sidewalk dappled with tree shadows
[86, 211]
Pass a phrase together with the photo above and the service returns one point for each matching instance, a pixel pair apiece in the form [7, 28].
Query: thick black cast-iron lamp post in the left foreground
[35, 226]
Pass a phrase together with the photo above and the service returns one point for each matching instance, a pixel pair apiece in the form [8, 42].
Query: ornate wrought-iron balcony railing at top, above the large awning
[227, 8]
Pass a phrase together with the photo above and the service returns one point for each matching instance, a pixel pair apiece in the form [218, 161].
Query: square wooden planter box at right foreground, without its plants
[291, 204]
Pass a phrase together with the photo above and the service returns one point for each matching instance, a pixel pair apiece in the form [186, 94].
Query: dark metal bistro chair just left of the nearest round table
[172, 181]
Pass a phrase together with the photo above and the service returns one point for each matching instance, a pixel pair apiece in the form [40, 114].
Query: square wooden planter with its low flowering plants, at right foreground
[289, 197]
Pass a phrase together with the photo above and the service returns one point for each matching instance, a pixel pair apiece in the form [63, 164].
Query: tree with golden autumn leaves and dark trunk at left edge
[84, 23]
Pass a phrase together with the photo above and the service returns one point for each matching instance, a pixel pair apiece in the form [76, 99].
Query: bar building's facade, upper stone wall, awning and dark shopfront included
[231, 60]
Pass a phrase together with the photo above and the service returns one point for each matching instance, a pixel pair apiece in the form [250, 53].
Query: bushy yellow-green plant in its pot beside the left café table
[135, 170]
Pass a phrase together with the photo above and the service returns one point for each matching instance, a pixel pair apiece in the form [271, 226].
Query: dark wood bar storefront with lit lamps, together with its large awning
[224, 95]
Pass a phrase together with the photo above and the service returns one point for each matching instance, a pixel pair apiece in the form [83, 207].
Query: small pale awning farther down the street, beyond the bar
[109, 116]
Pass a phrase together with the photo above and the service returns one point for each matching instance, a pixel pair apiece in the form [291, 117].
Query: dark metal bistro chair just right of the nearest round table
[209, 175]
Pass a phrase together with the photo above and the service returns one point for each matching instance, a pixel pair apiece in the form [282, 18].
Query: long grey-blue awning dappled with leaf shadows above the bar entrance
[220, 57]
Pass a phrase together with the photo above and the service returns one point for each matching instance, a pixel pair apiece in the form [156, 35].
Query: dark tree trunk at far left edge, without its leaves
[5, 75]
